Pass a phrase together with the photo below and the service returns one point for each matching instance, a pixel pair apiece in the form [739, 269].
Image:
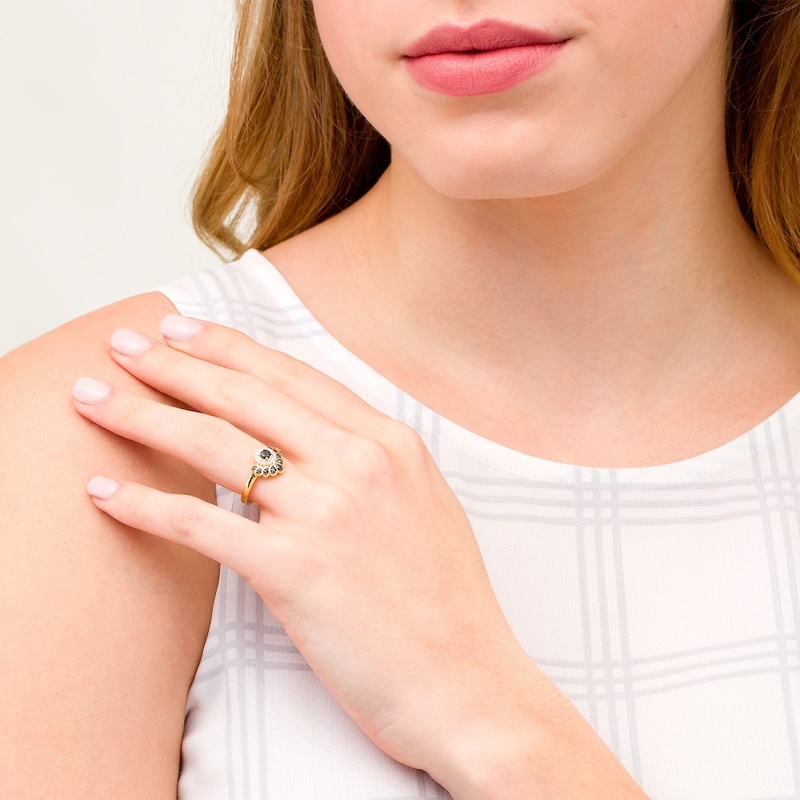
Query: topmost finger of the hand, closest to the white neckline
[235, 350]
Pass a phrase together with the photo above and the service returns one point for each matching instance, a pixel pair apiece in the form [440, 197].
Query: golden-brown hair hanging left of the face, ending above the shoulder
[293, 150]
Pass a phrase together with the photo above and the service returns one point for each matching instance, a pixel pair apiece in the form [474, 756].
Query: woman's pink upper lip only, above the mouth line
[486, 35]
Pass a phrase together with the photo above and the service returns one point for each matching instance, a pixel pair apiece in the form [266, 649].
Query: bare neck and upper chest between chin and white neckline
[633, 298]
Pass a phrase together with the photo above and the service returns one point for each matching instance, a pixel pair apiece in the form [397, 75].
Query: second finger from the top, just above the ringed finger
[242, 399]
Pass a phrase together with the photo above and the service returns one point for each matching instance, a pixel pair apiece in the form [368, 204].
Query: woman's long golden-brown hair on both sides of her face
[293, 150]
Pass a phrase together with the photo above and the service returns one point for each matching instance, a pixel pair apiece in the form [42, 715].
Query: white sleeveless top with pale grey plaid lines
[663, 601]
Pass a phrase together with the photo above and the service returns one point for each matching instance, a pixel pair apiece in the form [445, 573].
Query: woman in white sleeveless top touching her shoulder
[555, 270]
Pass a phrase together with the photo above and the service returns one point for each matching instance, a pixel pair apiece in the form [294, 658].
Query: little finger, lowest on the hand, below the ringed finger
[228, 538]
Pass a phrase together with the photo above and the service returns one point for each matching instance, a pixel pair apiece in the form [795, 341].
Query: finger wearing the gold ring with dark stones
[214, 447]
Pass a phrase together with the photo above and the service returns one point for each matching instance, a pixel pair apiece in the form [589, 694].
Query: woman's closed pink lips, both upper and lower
[485, 58]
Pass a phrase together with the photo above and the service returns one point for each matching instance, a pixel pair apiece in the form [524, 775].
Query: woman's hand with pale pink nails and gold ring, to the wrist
[362, 551]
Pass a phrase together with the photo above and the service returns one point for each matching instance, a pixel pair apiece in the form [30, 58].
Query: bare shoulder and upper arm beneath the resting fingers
[101, 627]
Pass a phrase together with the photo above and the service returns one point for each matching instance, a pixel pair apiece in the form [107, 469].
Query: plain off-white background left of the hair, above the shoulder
[106, 110]
